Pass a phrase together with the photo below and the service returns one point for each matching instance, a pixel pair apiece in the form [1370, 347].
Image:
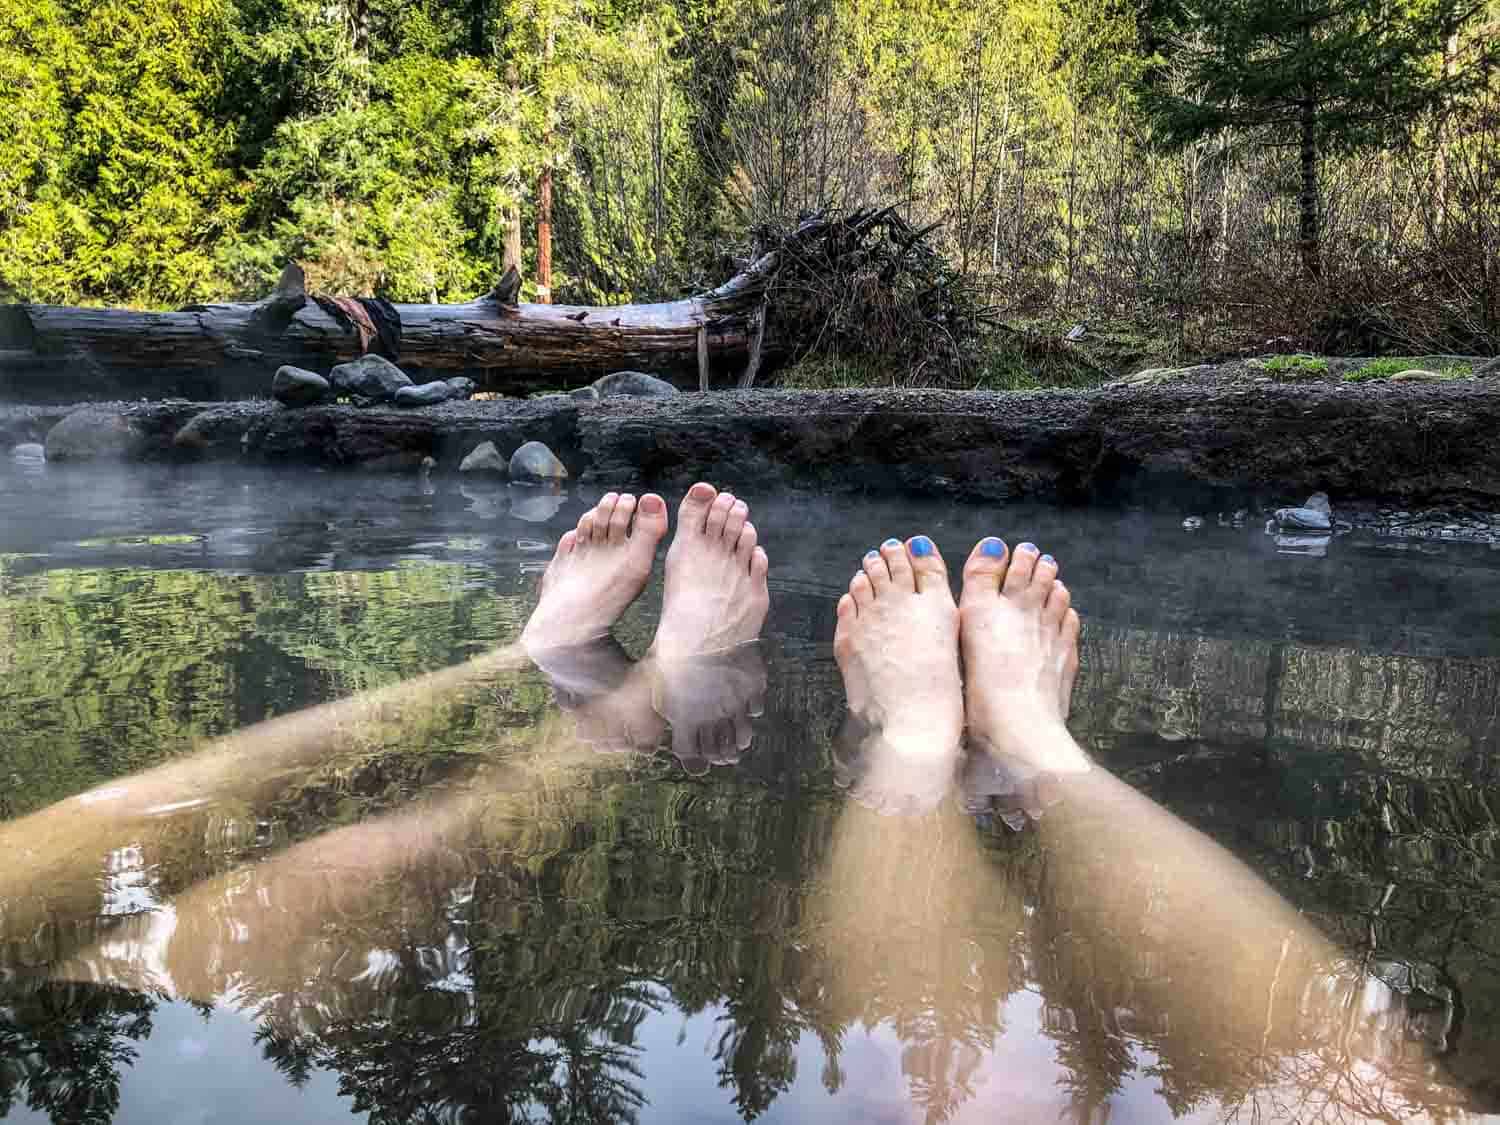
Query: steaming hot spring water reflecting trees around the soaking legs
[584, 937]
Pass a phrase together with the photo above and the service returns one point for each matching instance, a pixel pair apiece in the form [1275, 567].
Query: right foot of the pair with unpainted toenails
[716, 595]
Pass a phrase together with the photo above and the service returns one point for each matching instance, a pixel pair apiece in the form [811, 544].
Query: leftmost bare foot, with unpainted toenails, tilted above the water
[598, 571]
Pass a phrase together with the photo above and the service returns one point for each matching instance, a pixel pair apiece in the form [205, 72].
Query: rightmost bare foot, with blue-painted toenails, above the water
[1021, 653]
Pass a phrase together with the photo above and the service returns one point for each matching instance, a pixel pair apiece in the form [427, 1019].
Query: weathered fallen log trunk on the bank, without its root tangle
[52, 353]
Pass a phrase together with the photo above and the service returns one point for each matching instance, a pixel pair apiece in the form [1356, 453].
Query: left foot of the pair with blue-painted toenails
[898, 649]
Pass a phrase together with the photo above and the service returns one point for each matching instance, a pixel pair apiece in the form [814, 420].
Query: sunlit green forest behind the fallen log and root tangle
[1183, 181]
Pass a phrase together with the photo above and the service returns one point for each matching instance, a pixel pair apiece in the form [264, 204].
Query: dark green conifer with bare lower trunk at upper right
[1334, 74]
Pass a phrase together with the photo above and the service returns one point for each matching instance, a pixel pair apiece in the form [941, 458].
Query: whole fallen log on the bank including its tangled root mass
[836, 281]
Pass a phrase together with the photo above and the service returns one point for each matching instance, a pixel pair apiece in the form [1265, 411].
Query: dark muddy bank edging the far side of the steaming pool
[1411, 443]
